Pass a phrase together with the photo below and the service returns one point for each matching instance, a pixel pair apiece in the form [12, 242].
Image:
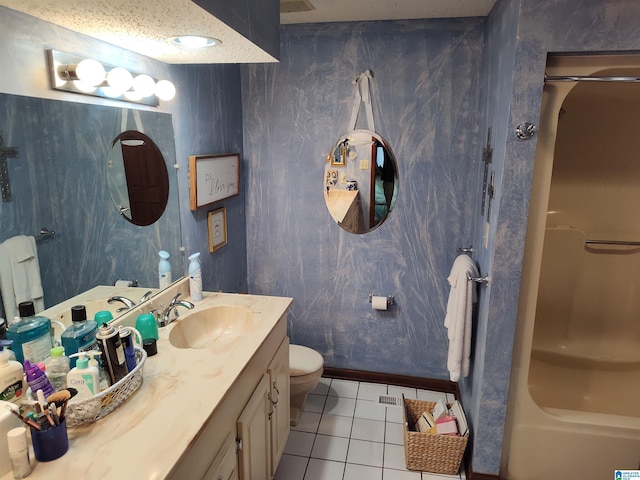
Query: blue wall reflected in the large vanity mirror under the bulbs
[58, 182]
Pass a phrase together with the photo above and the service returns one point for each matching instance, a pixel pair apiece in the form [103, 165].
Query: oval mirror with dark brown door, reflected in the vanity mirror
[137, 178]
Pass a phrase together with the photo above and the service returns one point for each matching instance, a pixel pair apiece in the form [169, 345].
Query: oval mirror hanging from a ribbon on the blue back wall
[360, 181]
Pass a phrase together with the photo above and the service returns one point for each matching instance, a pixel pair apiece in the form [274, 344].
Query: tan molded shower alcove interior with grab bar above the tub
[586, 328]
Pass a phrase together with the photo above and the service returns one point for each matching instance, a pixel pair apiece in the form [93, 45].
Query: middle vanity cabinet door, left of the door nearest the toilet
[254, 435]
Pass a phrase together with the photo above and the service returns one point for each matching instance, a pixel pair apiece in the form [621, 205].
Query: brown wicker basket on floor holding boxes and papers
[427, 452]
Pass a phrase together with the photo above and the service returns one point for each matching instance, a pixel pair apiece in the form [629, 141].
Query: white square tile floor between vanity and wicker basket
[345, 433]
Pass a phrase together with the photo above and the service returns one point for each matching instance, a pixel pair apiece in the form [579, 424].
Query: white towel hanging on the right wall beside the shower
[459, 315]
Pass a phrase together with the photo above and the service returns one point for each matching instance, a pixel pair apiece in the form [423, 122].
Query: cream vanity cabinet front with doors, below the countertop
[254, 414]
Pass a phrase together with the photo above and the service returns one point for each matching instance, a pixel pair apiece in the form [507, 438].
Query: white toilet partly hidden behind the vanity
[305, 370]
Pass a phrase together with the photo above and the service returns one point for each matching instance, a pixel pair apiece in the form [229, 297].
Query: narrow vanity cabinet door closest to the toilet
[279, 377]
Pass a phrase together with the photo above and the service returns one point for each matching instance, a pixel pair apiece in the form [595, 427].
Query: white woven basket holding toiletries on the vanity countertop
[94, 408]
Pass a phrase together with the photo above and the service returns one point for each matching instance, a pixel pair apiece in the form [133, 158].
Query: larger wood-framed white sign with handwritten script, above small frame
[213, 178]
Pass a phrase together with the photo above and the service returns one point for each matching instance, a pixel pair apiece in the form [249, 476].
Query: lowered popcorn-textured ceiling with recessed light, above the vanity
[144, 27]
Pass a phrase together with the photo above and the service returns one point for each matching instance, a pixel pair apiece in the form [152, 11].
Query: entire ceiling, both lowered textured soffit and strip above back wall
[144, 30]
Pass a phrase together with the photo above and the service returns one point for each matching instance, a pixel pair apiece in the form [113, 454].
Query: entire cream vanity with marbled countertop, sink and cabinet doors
[211, 409]
